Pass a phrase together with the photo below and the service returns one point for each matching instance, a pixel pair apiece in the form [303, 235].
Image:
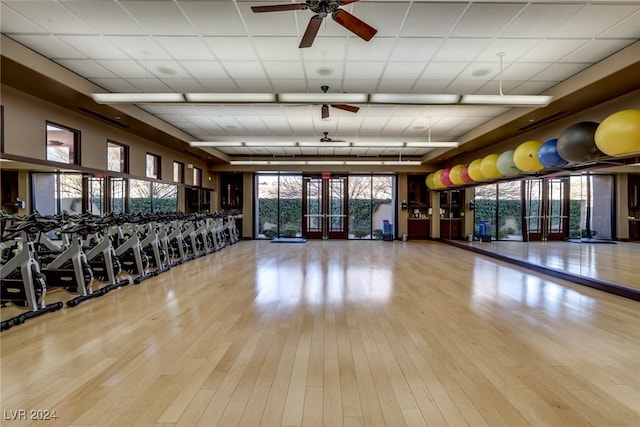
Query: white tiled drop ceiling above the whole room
[420, 47]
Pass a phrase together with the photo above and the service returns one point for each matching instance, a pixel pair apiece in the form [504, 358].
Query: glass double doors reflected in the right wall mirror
[546, 209]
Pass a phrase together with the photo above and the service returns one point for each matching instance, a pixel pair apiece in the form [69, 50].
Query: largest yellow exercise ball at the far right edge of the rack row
[619, 134]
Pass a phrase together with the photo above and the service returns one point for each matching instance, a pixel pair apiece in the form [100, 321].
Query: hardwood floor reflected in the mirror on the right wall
[614, 263]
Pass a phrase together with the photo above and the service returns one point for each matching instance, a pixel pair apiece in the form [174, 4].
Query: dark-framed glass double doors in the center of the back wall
[324, 207]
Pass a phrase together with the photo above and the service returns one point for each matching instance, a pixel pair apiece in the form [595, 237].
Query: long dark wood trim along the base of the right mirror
[601, 285]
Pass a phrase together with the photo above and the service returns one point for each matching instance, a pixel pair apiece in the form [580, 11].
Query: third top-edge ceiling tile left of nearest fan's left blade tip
[106, 17]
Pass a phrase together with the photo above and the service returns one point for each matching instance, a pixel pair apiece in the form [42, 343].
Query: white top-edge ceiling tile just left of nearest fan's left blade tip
[214, 17]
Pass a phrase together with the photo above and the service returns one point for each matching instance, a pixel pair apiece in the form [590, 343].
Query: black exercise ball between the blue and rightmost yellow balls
[577, 143]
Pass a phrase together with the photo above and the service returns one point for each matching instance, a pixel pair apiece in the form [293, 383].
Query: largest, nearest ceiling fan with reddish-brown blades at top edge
[322, 8]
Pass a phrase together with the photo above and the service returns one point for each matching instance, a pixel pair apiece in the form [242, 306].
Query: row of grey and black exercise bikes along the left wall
[88, 255]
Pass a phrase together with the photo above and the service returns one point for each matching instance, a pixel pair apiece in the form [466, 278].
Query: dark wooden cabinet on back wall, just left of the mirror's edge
[418, 204]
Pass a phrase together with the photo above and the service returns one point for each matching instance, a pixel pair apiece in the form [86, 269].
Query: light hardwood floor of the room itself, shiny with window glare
[334, 333]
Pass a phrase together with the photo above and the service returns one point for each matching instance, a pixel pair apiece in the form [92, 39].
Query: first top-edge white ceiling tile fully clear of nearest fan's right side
[432, 19]
